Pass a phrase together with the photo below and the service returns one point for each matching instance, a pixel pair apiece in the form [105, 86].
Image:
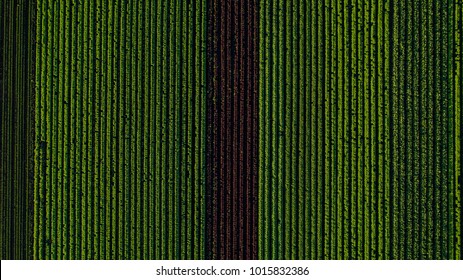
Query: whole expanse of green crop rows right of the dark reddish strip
[360, 129]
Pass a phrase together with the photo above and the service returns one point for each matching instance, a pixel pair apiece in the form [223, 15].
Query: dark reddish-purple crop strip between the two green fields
[232, 130]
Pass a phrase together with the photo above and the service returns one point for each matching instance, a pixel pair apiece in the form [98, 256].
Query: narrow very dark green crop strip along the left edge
[17, 48]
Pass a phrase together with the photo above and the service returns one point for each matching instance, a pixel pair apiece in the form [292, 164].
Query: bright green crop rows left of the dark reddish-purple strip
[119, 136]
